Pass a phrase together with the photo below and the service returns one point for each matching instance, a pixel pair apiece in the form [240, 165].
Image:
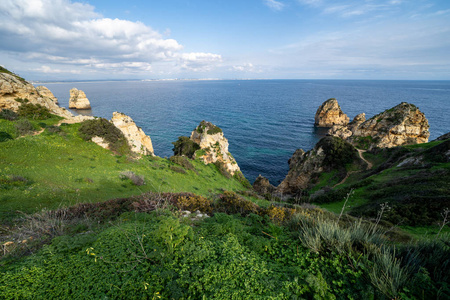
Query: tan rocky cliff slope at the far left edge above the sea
[13, 87]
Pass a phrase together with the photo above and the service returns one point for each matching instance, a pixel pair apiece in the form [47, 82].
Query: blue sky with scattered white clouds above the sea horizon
[286, 39]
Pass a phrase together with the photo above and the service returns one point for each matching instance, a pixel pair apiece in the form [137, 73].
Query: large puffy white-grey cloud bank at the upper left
[71, 33]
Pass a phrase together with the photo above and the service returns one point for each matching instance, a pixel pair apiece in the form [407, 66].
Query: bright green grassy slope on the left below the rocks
[66, 170]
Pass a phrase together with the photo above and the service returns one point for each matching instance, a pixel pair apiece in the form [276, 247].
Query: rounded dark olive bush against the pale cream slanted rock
[103, 128]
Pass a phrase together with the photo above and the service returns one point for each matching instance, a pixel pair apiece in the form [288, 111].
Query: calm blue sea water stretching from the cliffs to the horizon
[265, 121]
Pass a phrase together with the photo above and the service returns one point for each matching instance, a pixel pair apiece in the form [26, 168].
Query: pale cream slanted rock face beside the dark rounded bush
[139, 142]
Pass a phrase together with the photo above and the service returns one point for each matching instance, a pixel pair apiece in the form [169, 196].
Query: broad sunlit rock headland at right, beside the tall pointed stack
[401, 125]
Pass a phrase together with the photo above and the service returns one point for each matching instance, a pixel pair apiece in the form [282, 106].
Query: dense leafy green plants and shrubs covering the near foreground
[162, 253]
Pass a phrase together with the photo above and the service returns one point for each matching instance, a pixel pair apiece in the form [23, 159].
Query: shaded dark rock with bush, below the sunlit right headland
[330, 153]
